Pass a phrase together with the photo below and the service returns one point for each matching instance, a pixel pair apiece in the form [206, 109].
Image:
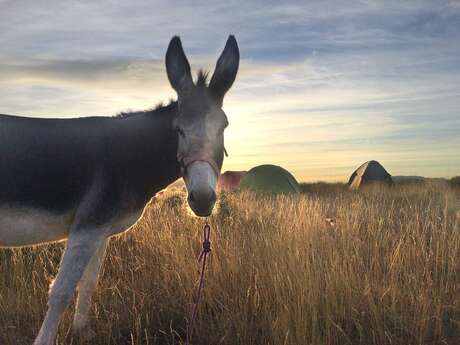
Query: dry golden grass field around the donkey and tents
[384, 270]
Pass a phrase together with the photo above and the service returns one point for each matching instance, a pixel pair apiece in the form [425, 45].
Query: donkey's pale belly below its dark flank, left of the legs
[28, 226]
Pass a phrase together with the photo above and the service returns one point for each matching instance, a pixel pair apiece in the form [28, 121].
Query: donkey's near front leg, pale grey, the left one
[81, 247]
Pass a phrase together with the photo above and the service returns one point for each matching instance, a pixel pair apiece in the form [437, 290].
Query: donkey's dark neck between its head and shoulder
[146, 148]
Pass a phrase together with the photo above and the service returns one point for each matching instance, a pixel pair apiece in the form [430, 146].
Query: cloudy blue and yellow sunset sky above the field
[323, 86]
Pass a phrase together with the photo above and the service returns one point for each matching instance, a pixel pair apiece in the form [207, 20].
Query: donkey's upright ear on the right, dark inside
[226, 69]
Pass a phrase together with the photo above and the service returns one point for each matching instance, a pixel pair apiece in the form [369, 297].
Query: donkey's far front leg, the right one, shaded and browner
[85, 289]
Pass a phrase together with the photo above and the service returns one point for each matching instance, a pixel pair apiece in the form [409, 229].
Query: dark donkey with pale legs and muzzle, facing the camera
[86, 179]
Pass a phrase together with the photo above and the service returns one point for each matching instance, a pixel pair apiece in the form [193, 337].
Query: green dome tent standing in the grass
[269, 179]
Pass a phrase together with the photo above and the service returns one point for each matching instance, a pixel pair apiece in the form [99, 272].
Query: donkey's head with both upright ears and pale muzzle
[201, 122]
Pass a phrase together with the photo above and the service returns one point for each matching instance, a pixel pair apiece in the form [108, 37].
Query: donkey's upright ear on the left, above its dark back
[177, 67]
